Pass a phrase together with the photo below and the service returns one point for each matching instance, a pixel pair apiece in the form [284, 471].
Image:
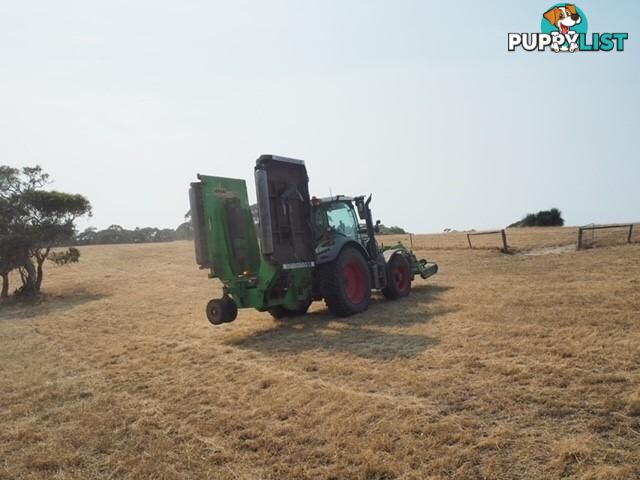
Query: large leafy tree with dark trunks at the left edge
[33, 221]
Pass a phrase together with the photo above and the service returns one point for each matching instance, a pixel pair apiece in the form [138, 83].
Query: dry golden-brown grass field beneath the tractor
[500, 367]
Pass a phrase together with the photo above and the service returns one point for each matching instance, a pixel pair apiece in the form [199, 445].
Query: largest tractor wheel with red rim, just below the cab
[346, 283]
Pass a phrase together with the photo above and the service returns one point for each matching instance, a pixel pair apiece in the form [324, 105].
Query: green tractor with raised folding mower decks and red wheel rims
[308, 249]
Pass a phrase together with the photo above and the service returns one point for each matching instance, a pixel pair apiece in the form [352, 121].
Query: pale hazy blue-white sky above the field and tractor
[417, 102]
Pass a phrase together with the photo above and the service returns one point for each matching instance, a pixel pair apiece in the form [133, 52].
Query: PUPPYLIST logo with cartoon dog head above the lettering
[564, 29]
